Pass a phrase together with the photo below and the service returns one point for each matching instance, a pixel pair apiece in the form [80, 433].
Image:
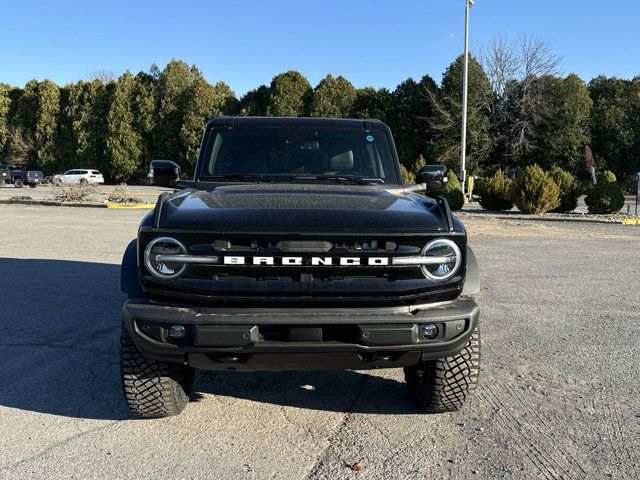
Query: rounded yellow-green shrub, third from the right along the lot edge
[535, 192]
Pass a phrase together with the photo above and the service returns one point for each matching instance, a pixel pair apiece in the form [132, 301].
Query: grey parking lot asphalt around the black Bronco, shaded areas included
[558, 394]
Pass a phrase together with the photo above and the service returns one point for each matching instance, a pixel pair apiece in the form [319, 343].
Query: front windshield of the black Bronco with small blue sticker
[293, 153]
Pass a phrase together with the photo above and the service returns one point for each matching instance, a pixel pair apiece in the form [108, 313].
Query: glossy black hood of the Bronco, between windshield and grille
[301, 208]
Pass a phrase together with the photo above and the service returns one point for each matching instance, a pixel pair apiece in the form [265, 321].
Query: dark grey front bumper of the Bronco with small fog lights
[299, 339]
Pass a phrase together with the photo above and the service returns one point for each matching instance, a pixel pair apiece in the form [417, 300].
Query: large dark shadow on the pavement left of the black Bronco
[60, 324]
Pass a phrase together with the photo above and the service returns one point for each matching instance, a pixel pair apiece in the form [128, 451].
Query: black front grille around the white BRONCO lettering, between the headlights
[306, 284]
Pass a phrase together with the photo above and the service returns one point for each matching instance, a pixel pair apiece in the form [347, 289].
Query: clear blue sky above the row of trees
[246, 42]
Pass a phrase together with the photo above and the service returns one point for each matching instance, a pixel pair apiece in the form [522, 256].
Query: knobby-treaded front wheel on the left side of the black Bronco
[152, 389]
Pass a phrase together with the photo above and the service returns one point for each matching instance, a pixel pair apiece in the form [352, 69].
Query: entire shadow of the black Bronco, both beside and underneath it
[60, 324]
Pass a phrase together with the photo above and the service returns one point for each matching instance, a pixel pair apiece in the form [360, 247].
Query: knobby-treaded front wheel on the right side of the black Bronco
[444, 385]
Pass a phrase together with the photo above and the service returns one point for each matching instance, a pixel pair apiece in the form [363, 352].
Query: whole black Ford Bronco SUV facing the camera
[297, 247]
